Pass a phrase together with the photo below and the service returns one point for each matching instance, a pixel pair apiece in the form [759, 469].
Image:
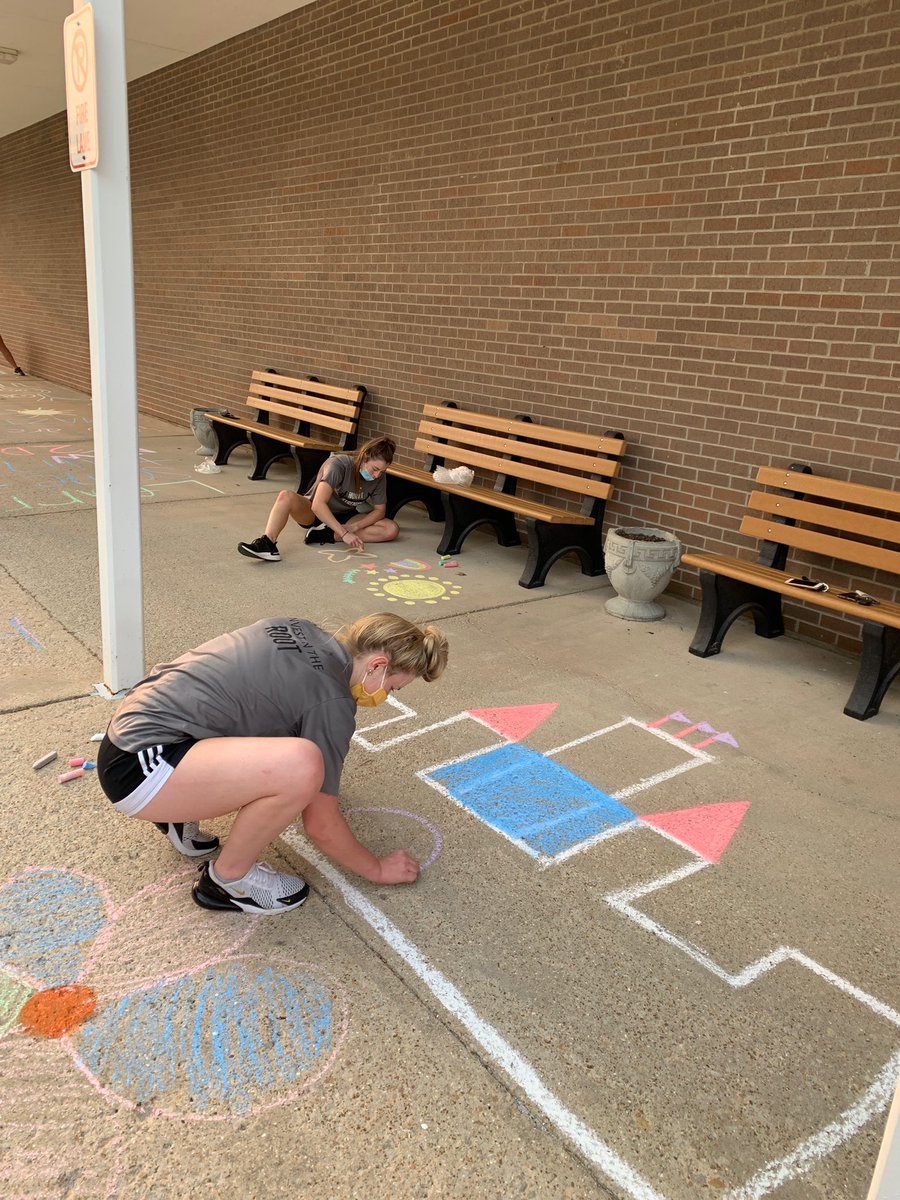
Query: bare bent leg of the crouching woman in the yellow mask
[268, 782]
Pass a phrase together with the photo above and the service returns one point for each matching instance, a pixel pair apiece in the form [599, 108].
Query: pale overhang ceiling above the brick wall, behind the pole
[158, 33]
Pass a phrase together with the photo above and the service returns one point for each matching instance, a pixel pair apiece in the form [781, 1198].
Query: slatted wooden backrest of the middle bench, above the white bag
[519, 448]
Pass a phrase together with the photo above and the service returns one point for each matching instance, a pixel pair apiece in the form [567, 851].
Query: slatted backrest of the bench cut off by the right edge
[832, 518]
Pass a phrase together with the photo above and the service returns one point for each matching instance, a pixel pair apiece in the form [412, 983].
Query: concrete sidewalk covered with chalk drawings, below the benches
[653, 952]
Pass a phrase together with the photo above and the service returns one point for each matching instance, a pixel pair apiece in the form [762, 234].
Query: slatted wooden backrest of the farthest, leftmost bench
[309, 403]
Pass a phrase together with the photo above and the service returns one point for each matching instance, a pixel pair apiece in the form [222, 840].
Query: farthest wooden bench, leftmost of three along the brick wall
[309, 405]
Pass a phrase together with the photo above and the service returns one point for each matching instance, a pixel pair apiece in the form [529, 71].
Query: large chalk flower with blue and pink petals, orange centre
[152, 1004]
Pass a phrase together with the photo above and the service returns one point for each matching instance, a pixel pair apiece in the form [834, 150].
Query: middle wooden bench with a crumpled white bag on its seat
[513, 451]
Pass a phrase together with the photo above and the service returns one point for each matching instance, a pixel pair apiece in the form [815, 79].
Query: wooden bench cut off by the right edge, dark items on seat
[848, 524]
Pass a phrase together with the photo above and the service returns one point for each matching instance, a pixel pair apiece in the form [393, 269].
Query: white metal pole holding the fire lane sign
[106, 195]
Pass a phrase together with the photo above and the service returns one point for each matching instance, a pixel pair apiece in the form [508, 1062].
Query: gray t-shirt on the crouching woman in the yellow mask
[281, 677]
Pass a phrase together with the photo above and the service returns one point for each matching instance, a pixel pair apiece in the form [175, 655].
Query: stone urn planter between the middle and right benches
[640, 565]
